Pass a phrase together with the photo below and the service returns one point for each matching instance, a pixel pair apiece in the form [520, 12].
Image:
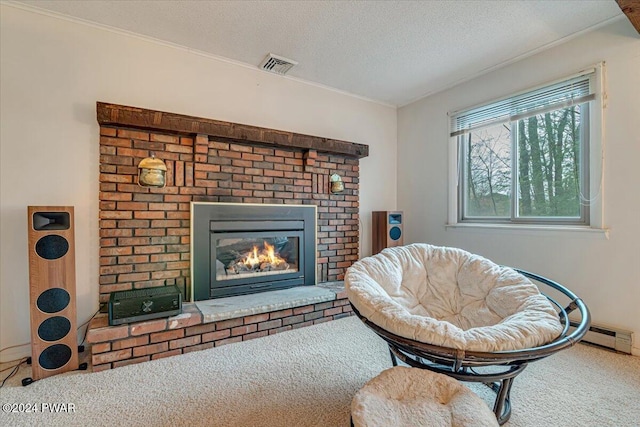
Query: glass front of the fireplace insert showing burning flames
[242, 258]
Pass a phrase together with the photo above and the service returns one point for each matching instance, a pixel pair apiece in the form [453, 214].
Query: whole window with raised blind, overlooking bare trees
[527, 159]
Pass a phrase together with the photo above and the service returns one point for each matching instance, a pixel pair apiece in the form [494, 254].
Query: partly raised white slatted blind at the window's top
[572, 91]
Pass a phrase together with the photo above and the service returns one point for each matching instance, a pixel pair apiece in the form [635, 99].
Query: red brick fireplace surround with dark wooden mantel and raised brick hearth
[145, 232]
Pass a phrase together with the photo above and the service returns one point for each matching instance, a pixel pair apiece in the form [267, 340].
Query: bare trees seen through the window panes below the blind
[541, 162]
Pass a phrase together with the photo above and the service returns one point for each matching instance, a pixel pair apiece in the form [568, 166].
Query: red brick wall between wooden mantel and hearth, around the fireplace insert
[144, 232]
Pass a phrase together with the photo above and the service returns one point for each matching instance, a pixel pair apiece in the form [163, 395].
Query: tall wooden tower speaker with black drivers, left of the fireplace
[52, 285]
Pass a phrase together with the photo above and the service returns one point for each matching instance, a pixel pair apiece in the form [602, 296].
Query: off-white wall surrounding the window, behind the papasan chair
[604, 272]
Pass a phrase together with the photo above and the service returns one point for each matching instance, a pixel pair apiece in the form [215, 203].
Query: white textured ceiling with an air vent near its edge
[389, 51]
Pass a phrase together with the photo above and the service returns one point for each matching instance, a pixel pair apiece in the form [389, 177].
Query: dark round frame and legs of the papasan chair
[497, 370]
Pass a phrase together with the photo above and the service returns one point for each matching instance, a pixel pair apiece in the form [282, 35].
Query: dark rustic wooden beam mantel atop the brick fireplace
[140, 118]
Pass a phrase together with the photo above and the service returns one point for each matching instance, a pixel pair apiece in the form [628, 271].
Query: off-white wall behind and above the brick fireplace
[53, 72]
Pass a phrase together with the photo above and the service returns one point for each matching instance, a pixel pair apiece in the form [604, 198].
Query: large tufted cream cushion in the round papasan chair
[451, 298]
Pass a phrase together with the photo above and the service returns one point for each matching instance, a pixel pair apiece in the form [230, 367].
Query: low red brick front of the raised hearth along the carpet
[114, 346]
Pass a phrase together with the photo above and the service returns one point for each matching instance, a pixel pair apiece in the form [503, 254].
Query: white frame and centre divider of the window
[592, 157]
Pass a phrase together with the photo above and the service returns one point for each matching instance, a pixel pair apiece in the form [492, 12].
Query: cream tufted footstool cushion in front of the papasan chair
[409, 397]
